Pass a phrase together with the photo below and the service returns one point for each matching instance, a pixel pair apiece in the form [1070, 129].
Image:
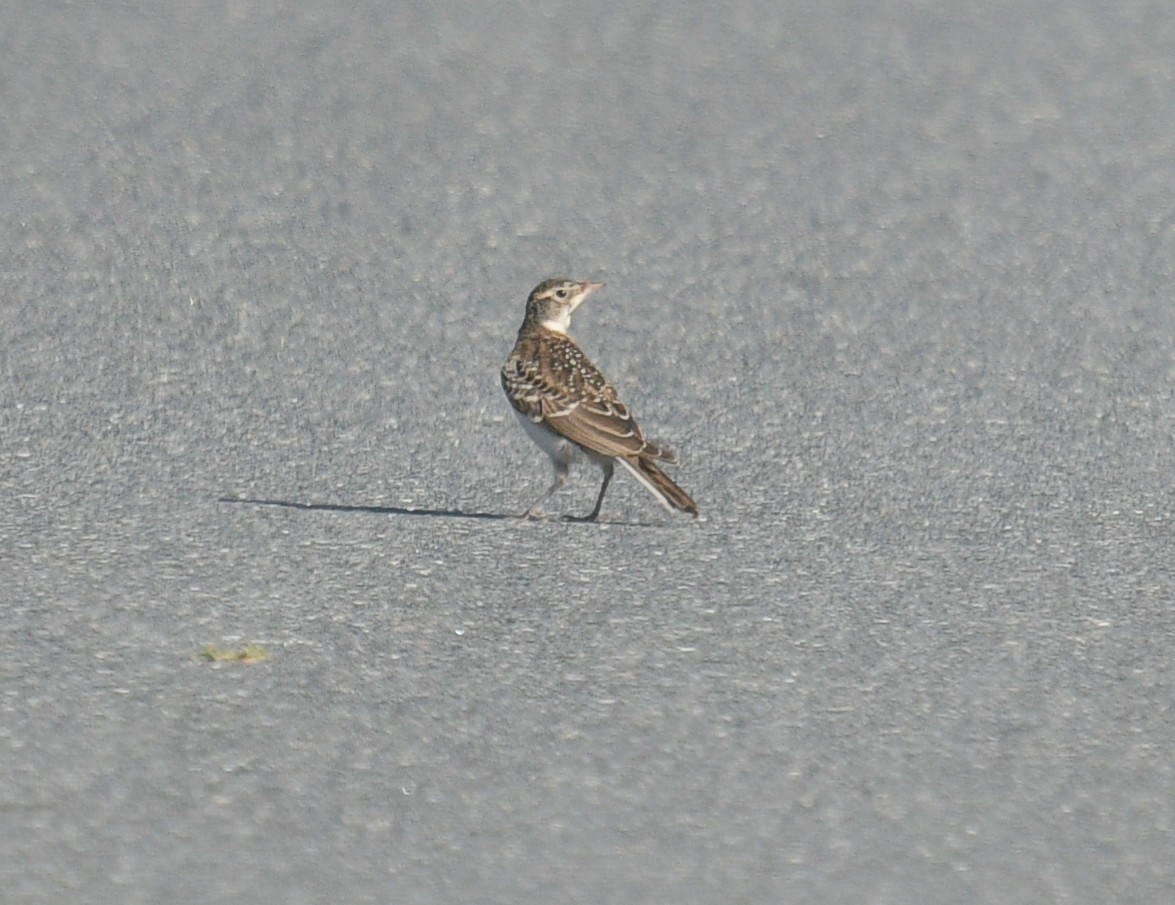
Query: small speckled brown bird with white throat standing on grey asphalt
[570, 410]
